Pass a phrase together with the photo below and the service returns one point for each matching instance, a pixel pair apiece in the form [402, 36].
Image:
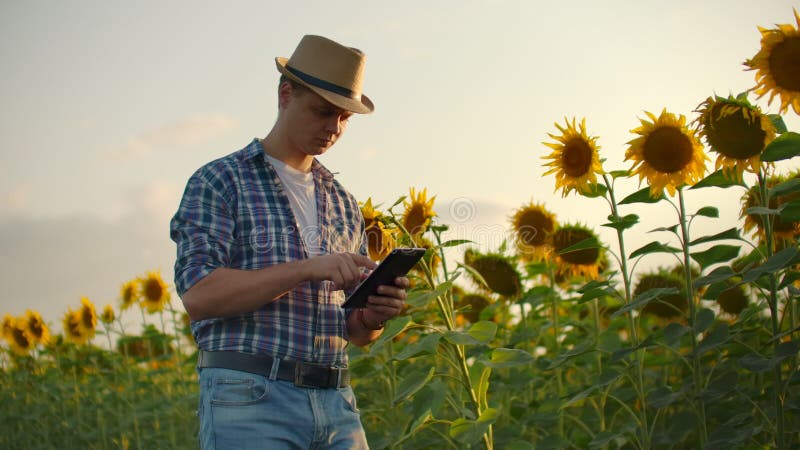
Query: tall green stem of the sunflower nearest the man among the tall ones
[626, 280]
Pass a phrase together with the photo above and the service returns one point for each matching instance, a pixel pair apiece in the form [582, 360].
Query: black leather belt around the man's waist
[301, 374]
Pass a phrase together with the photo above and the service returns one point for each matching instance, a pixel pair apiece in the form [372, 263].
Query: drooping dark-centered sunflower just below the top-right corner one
[736, 130]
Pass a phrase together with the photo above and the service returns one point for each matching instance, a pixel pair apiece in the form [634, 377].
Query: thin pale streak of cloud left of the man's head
[182, 133]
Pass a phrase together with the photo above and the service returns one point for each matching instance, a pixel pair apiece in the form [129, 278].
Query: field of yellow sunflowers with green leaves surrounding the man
[554, 339]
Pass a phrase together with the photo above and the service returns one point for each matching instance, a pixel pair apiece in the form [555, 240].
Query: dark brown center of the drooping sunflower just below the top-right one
[736, 136]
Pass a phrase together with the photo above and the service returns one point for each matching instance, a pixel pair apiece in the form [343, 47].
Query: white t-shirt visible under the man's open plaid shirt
[299, 187]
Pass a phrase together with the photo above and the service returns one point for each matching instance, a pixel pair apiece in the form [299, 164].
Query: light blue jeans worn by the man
[240, 410]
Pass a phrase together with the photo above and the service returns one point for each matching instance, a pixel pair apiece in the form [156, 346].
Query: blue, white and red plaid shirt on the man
[235, 213]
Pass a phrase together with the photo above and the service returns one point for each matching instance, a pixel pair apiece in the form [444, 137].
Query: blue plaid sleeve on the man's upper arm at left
[202, 228]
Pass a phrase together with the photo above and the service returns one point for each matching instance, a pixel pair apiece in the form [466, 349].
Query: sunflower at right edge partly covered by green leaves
[753, 224]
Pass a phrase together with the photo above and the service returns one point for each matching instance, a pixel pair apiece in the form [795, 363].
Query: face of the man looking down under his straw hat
[313, 123]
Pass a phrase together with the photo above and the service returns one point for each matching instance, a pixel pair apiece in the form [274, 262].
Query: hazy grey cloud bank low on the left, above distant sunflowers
[49, 263]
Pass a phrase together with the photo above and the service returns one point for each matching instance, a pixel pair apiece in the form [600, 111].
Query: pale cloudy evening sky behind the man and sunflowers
[109, 106]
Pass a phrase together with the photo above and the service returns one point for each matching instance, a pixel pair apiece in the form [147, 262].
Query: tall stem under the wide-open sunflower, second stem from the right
[687, 273]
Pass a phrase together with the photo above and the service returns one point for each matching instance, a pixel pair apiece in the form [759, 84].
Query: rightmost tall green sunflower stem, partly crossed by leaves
[773, 308]
